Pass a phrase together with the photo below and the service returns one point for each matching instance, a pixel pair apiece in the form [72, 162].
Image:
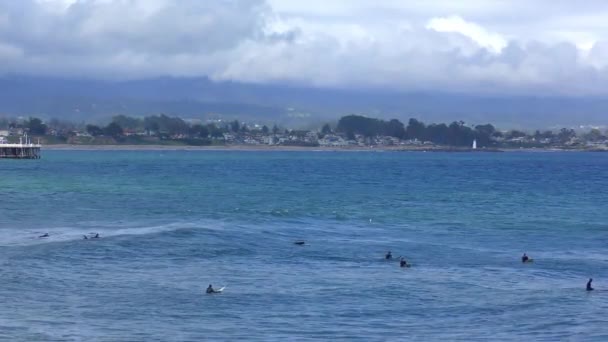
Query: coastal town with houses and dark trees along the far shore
[352, 131]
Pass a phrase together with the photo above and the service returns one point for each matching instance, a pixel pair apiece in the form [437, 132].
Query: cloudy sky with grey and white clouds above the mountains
[540, 47]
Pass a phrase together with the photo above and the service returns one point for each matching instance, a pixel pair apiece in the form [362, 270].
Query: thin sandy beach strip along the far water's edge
[259, 148]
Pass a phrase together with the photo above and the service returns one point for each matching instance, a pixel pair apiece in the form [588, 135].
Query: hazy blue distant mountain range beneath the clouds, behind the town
[95, 100]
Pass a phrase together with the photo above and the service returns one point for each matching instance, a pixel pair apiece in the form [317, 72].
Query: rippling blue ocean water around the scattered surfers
[173, 222]
